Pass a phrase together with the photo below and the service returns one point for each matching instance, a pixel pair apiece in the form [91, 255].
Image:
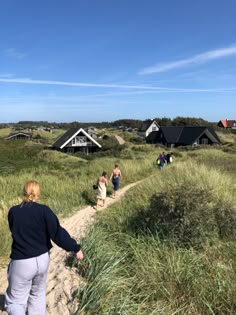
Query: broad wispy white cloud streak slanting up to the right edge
[194, 60]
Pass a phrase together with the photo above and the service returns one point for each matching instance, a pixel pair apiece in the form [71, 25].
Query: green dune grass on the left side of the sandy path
[65, 180]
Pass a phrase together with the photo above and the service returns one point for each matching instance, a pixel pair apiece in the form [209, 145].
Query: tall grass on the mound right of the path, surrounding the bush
[130, 268]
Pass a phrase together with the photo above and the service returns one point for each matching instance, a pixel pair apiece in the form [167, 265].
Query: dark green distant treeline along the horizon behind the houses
[132, 123]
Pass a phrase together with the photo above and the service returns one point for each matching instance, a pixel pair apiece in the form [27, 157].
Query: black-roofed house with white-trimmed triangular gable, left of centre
[77, 140]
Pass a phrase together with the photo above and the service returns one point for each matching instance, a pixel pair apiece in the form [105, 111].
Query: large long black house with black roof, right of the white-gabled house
[173, 136]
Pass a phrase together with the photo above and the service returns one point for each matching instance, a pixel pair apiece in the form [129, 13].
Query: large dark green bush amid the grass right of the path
[189, 215]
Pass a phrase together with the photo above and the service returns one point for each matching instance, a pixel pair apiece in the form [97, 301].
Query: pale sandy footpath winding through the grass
[63, 281]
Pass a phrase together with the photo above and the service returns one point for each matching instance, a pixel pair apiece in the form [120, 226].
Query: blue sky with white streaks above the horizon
[103, 60]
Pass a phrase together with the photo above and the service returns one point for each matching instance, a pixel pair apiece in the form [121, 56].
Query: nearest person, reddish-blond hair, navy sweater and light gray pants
[33, 226]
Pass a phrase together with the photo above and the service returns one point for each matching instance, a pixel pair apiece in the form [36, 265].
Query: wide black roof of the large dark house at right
[185, 135]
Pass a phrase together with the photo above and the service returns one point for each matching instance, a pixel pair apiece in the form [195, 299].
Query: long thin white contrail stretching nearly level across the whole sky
[108, 86]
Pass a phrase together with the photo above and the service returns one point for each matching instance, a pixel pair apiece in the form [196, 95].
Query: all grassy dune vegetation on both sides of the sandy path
[167, 248]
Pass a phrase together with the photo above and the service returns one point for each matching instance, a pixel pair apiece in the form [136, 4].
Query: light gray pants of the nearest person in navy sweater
[27, 286]
